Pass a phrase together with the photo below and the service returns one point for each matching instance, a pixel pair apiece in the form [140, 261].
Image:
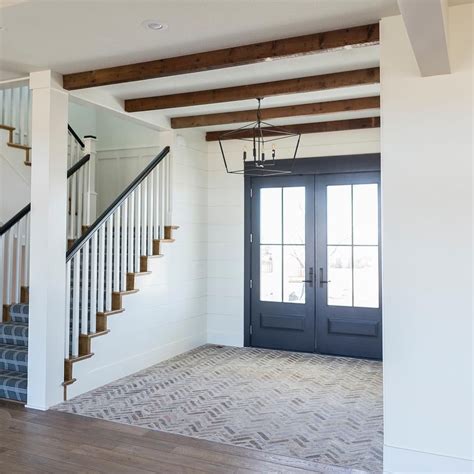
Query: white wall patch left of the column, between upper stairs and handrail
[15, 179]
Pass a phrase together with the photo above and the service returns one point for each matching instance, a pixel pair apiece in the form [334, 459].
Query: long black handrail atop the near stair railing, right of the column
[79, 243]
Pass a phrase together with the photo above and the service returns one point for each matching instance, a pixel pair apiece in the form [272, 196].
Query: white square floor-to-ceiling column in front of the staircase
[48, 240]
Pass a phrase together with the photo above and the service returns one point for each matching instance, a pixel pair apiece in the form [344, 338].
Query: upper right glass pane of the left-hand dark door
[294, 215]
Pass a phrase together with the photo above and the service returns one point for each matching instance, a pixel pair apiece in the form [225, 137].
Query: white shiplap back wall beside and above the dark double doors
[225, 305]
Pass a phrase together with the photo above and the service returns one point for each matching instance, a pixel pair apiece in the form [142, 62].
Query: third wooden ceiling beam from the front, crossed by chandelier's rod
[242, 116]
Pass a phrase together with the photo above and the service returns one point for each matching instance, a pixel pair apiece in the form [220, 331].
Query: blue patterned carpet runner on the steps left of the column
[14, 354]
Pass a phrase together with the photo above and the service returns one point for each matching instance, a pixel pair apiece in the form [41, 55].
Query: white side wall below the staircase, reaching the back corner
[168, 315]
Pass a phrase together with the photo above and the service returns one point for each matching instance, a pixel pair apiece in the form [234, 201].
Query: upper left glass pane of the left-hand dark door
[270, 215]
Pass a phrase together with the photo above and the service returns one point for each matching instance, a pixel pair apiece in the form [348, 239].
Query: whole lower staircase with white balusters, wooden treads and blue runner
[103, 262]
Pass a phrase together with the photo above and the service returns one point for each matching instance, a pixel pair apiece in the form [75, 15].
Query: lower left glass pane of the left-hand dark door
[270, 272]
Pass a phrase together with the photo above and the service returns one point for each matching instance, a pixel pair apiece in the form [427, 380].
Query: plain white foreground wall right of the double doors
[427, 179]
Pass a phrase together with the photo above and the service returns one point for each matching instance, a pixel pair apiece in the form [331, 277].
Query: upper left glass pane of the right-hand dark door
[339, 214]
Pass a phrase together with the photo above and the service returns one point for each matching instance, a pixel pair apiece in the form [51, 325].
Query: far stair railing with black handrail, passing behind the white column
[15, 249]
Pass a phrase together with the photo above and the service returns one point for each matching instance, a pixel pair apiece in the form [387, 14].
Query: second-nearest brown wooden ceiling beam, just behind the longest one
[252, 91]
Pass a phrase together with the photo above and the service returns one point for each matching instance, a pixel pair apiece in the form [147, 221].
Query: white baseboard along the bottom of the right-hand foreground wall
[408, 461]
